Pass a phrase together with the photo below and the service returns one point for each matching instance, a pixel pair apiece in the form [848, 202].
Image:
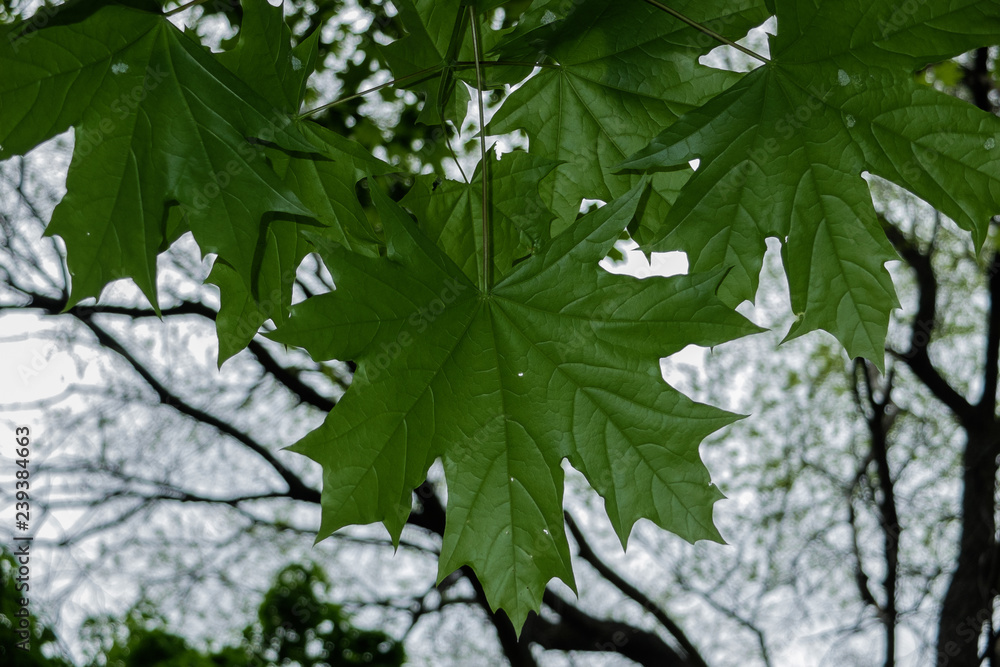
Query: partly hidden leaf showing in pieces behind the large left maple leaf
[323, 180]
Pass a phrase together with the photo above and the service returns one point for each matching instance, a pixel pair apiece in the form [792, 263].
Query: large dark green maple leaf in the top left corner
[158, 122]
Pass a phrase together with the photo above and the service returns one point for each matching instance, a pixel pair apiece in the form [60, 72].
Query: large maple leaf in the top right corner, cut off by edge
[782, 154]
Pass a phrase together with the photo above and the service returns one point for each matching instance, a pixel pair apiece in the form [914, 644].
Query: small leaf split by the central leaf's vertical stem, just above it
[451, 212]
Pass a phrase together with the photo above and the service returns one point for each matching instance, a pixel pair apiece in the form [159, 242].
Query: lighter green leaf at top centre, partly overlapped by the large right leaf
[614, 74]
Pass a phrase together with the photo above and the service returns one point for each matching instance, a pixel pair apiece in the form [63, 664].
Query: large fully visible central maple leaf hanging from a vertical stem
[559, 360]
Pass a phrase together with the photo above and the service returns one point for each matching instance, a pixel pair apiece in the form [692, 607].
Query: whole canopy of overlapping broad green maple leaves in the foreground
[484, 331]
